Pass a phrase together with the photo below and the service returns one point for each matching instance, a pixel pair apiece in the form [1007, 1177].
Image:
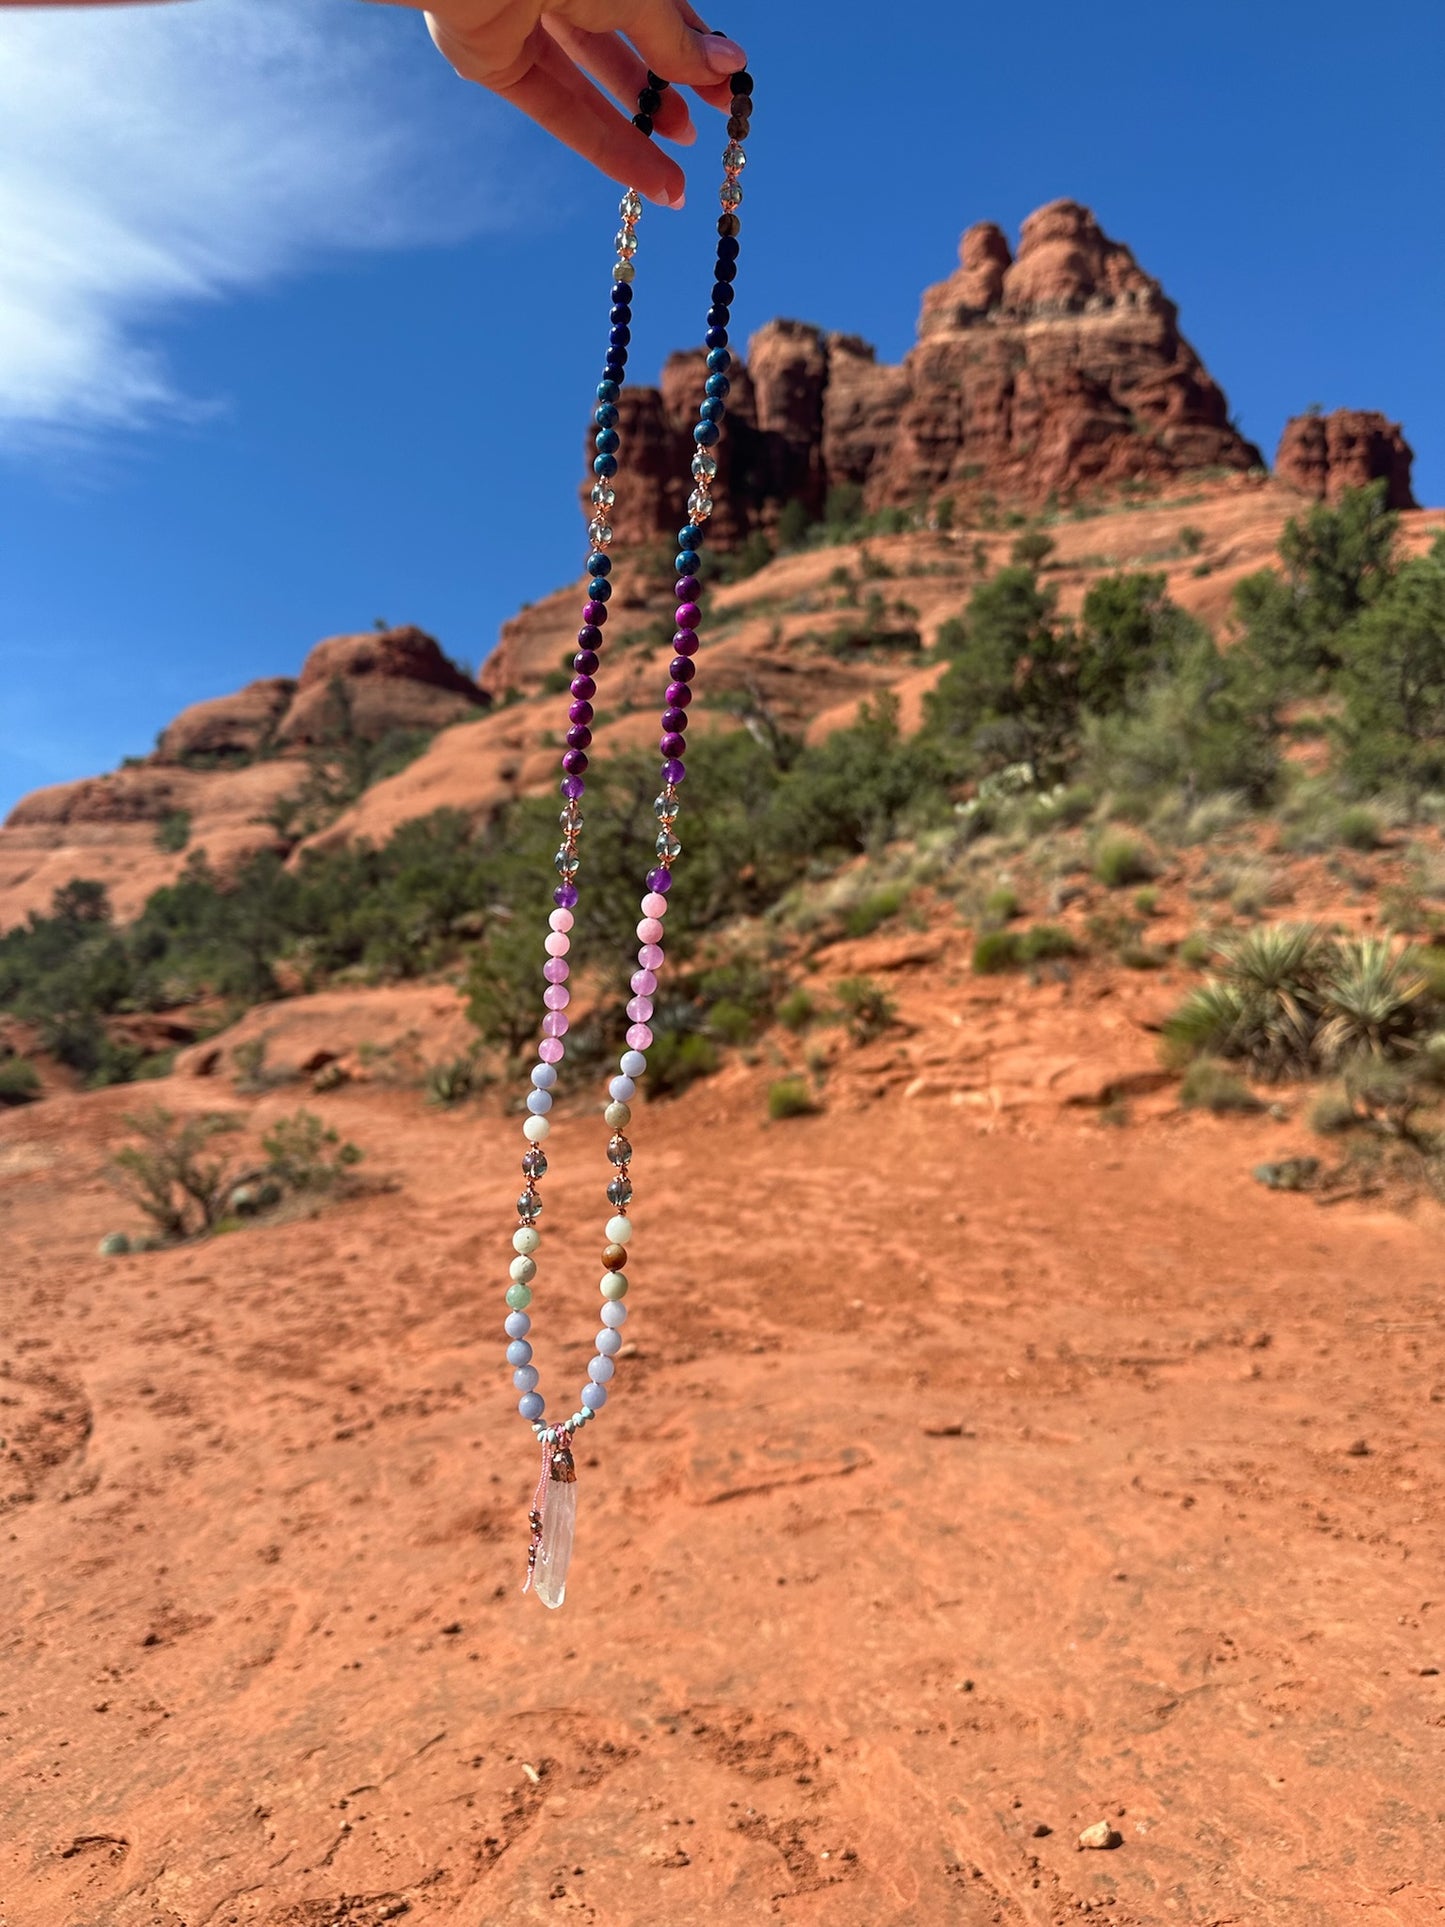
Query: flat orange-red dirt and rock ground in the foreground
[978, 1477]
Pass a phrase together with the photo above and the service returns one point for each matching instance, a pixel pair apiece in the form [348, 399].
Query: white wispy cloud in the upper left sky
[157, 157]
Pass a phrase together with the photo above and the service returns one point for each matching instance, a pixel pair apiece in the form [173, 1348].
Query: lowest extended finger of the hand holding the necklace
[548, 88]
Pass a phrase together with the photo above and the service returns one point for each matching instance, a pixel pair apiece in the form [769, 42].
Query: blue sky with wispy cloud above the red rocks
[298, 330]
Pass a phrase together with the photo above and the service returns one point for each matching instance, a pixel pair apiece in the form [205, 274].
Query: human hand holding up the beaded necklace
[540, 61]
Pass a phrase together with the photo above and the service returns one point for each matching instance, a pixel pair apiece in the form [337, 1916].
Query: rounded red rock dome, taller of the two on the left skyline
[392, 679]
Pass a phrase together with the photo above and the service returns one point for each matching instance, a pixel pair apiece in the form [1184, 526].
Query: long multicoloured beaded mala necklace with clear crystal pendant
[554, 1508]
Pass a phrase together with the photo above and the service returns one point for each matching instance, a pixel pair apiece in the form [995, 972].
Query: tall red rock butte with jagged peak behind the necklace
[1051, 373]
